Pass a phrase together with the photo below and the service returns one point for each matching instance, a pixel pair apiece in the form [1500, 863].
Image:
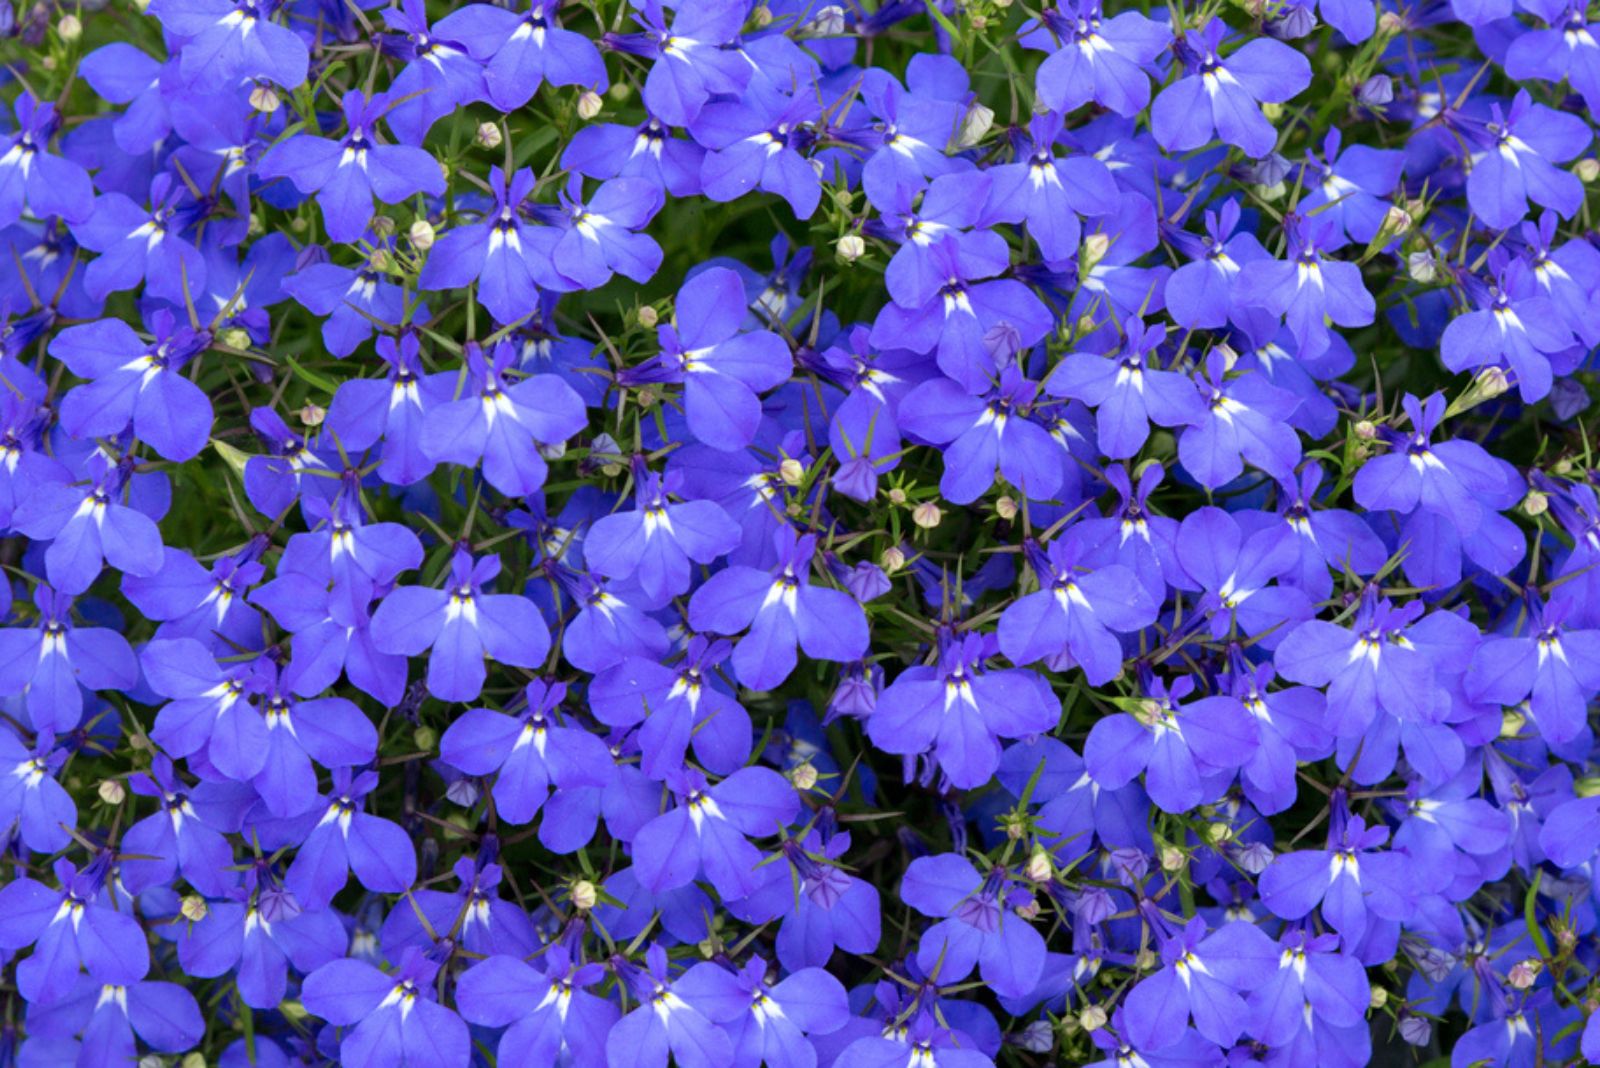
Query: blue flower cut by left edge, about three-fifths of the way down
[52, 663]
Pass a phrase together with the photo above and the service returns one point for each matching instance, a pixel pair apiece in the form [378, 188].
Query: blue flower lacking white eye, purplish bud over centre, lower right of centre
[977, 927]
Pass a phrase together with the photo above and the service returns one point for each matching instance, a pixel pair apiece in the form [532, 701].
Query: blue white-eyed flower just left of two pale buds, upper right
[1310, 290]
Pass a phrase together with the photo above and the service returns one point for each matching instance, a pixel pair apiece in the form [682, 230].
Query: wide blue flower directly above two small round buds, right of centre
[983, 434]
